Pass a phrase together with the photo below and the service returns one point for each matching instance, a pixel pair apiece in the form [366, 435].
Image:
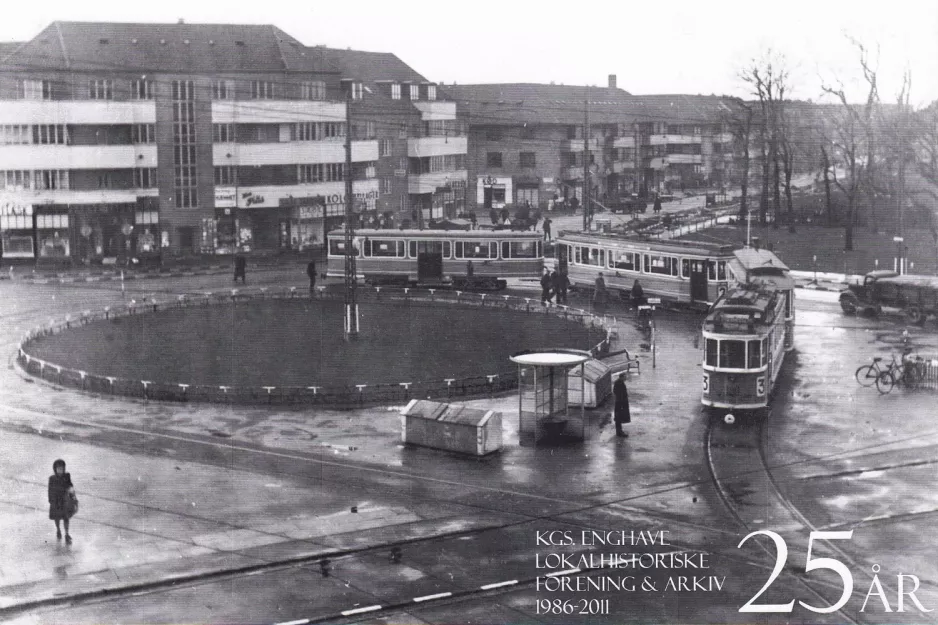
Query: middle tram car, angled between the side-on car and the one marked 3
[692, 273]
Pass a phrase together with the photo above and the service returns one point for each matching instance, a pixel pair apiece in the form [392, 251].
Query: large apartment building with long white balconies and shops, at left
[138, 141]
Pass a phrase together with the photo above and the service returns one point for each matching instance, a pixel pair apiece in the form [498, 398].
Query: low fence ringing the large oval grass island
[348, 396]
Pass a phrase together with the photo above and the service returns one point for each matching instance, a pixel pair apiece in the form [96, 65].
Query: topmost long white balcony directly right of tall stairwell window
[276, 111]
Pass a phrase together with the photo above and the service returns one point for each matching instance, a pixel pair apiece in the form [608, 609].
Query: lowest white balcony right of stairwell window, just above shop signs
[271, 196]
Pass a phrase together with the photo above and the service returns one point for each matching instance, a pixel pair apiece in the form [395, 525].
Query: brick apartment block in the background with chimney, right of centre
[526, 142]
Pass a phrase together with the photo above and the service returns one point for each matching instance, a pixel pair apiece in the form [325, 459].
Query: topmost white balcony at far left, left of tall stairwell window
[77, 112]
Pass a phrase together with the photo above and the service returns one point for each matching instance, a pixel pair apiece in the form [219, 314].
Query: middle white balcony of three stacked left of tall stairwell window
[77, 156]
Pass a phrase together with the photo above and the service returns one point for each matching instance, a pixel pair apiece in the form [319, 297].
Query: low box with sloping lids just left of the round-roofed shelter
[451, 427]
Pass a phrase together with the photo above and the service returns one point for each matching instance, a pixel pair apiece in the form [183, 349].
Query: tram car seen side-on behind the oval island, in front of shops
[464, 259]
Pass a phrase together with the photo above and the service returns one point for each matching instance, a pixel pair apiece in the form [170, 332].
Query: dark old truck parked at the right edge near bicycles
[915, 295]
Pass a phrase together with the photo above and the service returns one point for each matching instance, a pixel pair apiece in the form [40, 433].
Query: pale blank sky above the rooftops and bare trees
[666, 46]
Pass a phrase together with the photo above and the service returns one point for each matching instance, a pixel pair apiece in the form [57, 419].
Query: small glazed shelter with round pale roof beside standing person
[543, 395]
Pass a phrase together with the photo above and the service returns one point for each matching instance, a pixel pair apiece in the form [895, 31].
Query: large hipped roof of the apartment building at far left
[197, 48]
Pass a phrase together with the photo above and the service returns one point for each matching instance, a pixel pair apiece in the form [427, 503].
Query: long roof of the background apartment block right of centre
[517, 103]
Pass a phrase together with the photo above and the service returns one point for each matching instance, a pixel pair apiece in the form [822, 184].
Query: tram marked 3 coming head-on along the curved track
[747, 333]
